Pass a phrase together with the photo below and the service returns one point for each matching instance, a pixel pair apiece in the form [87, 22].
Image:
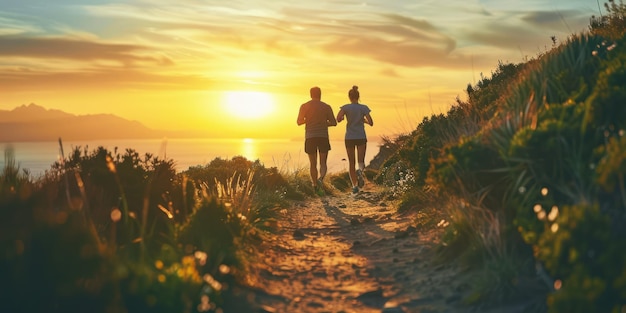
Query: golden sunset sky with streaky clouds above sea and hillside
[243, 67]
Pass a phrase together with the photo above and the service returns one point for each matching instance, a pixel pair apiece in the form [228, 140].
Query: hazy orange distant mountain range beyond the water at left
[36, 123]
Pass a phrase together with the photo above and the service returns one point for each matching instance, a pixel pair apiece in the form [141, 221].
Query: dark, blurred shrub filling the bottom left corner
[52, 262]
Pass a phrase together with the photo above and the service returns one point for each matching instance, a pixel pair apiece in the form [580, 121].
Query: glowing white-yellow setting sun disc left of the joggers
[249, 104]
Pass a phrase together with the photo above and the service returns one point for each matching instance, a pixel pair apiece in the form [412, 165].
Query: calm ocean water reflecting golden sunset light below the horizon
[286, 155]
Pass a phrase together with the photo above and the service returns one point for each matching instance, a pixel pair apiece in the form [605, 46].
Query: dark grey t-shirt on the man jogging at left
[316, 114]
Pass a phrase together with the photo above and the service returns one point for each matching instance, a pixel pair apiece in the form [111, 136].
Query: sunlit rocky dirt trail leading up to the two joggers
[348, 253]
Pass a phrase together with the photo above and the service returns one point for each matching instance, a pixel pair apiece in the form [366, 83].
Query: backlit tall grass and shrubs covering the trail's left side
[113, 232]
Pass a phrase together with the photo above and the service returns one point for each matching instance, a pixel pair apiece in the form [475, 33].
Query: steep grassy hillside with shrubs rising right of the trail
[532, 168]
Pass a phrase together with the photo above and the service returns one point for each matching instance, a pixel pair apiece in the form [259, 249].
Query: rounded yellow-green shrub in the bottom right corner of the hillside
[586, 257]
